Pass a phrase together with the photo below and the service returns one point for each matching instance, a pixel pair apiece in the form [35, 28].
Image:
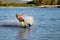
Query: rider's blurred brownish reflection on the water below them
[23, 33]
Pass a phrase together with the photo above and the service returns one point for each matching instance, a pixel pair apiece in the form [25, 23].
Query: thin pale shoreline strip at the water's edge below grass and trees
[41, 6]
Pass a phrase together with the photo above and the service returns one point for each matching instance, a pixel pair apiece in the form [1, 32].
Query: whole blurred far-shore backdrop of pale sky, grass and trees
[29, 3]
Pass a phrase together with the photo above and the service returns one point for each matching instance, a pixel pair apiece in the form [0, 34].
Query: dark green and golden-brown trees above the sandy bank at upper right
[45, 2]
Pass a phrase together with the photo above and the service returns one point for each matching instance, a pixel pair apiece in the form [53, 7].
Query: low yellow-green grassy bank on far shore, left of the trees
[17, 5]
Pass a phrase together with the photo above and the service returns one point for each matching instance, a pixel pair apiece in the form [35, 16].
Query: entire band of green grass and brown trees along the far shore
[31, 3]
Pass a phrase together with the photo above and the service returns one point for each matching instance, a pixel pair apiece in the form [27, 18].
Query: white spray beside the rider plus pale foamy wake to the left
[15, 22]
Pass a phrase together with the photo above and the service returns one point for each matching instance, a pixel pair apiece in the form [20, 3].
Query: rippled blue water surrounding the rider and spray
[46, 24]
